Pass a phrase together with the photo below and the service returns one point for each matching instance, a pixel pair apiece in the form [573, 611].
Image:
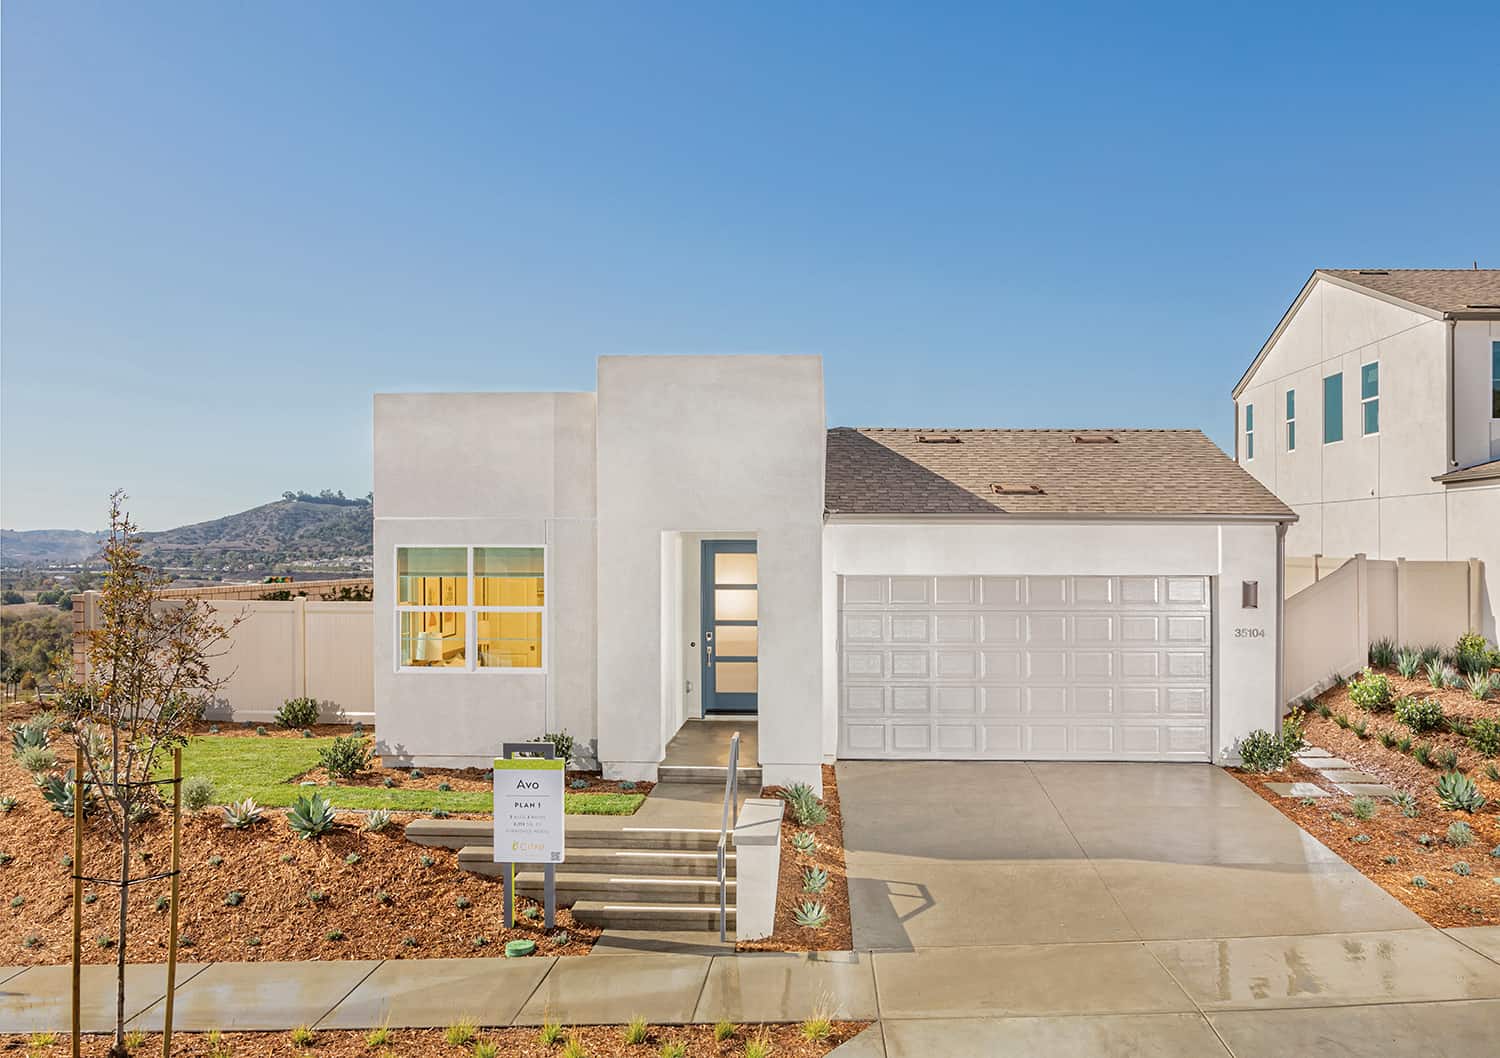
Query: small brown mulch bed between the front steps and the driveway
[838, 936]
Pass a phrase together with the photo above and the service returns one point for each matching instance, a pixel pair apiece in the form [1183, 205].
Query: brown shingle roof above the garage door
[1171, 473]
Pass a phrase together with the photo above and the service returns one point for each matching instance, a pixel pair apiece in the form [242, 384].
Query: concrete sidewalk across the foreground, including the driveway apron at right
[1399, 993]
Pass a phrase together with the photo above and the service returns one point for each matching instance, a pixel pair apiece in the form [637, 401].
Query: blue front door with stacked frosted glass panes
[731, 612]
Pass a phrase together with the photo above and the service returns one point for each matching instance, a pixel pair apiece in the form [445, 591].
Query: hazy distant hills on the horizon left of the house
[301, 529]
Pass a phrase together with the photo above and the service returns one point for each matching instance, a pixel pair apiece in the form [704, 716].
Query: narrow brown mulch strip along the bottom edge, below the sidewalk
[598, 1042]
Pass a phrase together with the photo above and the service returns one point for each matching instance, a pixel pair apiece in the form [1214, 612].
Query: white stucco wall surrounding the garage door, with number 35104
[1244, 667]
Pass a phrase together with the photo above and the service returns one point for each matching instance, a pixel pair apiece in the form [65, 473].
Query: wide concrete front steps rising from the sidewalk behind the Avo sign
[658, 879]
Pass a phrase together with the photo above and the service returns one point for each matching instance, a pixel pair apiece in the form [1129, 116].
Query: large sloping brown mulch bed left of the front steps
[275, 871]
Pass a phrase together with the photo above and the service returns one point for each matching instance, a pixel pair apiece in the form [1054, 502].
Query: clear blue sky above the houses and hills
[226, 226]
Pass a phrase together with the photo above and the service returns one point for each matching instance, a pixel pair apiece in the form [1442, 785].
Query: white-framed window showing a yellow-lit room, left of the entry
[470, 610]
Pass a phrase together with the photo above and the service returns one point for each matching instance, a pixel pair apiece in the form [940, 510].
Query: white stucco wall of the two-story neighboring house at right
[1375, 494]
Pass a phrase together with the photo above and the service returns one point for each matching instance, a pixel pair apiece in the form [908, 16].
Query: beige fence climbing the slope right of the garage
[1333, 621]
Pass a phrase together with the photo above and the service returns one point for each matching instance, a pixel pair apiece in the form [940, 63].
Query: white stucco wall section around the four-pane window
[487, 470]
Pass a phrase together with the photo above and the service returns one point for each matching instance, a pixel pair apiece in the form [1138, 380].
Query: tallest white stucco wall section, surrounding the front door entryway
[709, 445]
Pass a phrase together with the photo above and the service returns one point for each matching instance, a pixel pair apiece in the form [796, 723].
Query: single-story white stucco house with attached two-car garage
[692, 541]
